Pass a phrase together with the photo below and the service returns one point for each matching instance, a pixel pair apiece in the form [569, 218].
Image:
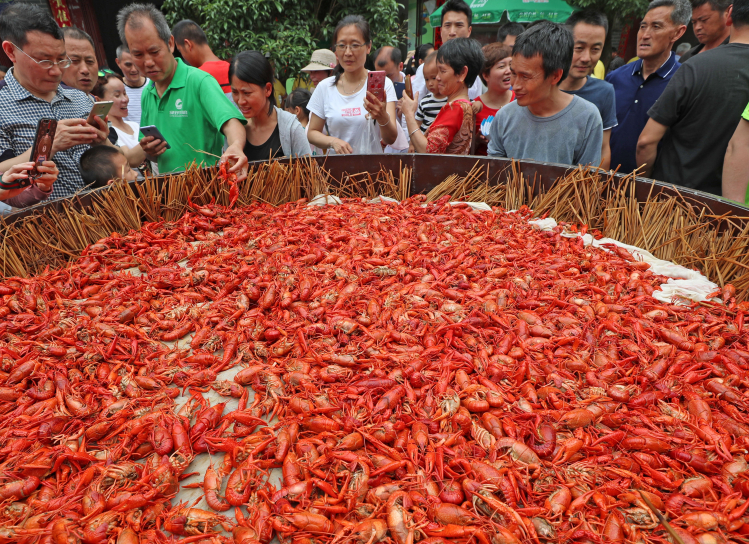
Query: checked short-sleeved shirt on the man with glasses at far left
[20, 112]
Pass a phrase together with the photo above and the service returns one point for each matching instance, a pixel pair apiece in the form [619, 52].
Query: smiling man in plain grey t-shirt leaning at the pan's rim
[543, 123]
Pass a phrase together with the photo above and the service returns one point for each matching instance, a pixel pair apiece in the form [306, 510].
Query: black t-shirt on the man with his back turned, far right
[701, 105]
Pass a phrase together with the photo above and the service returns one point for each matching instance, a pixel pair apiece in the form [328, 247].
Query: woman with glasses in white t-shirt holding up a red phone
[341, 103]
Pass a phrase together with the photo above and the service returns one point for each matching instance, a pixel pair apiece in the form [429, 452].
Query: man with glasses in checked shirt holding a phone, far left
[31, 91]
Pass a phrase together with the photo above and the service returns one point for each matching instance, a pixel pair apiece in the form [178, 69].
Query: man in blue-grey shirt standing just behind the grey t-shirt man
[589, 30]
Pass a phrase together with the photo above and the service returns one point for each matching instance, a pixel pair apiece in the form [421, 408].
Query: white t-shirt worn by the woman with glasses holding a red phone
[344, 115]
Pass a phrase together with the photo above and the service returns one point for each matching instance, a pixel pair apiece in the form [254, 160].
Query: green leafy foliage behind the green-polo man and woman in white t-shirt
[289, 30]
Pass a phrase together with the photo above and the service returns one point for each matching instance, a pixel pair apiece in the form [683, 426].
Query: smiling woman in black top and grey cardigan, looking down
[271, 131]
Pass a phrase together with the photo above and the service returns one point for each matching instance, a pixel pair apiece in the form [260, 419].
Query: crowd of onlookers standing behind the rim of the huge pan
[540, 92]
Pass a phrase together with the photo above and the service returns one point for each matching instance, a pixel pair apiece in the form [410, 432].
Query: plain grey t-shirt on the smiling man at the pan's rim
[572, 136]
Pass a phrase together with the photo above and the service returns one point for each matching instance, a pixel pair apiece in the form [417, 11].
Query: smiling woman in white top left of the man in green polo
[111, 88]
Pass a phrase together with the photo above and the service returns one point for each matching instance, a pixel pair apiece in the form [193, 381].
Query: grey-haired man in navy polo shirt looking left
[639, 84]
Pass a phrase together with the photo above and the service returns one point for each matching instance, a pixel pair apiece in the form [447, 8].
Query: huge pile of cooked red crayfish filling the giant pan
[419, 373]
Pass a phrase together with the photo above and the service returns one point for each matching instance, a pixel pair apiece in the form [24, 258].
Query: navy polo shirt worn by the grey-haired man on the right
[634, 97]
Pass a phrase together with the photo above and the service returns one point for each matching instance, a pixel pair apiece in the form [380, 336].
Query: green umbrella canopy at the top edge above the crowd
[518, 11]
